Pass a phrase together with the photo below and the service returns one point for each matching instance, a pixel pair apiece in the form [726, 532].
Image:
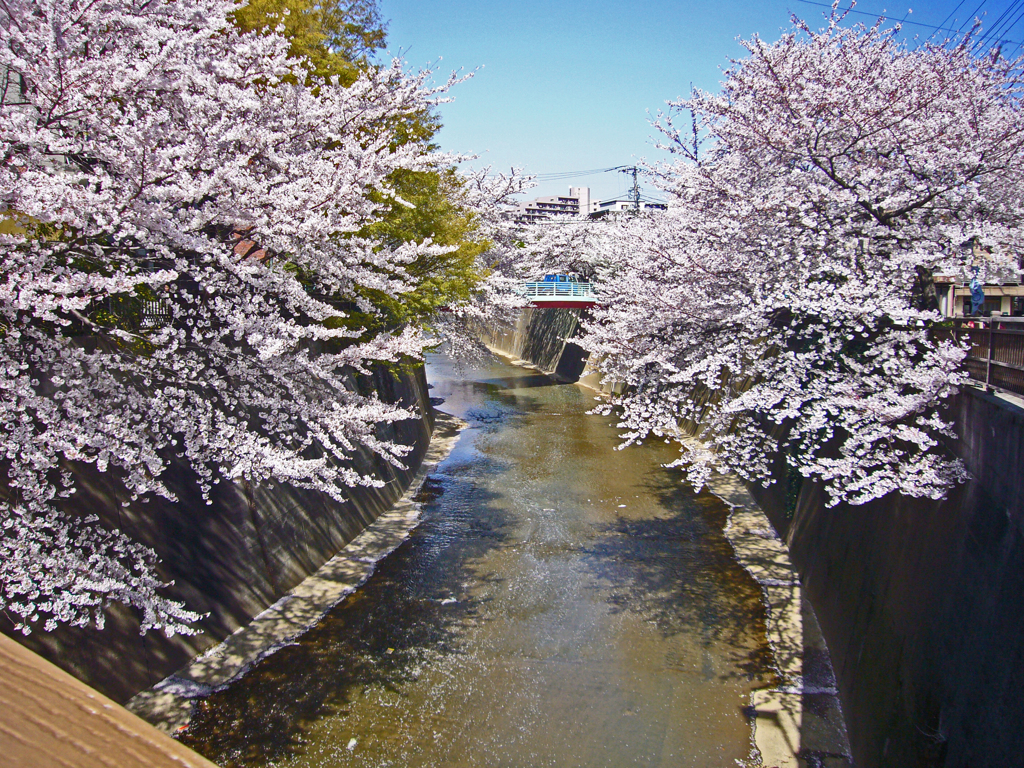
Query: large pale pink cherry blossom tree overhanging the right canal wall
[784, 303]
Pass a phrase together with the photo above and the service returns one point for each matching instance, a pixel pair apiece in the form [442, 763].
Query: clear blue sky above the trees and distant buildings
[566, 87]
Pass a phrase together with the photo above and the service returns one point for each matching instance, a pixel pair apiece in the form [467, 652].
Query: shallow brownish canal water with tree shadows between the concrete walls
[562, 605]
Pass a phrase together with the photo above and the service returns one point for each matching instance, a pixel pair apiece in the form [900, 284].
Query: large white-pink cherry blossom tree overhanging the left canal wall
[185, 252]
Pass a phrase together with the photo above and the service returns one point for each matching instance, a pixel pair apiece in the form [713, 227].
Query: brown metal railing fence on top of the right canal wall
[996, 354]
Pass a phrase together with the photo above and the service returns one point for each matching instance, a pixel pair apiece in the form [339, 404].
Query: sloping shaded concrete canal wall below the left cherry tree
[233, 559]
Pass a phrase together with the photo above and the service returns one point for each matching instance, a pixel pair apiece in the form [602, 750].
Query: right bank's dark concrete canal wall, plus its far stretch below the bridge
[920, 602]
